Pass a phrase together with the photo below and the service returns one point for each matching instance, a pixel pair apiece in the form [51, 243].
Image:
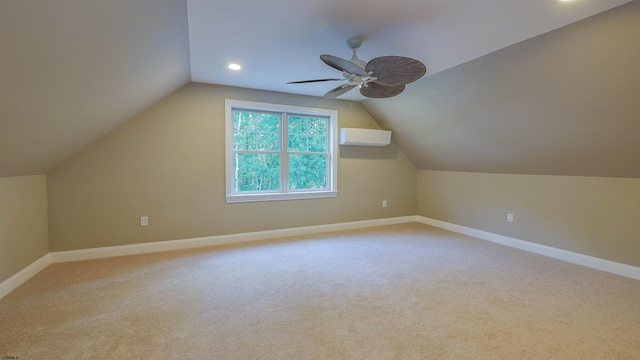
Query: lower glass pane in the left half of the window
[256, 172]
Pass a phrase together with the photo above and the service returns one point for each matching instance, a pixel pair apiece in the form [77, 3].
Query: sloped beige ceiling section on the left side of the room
[71, 71]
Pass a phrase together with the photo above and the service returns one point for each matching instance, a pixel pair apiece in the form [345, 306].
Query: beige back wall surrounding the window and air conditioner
[168, 163]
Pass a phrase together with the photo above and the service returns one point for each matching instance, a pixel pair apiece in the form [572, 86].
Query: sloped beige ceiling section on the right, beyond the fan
[564, 103]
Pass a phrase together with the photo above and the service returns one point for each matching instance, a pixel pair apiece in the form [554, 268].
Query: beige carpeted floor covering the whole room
[405, 291]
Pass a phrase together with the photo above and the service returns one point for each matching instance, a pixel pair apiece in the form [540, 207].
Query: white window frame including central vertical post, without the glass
[283, 193]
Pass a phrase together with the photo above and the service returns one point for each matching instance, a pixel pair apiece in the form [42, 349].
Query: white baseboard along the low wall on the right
[564, 255]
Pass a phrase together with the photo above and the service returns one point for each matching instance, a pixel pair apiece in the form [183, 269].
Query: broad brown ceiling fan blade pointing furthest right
[395, 70]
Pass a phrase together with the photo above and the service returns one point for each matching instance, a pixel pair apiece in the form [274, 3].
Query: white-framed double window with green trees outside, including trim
[279, 152]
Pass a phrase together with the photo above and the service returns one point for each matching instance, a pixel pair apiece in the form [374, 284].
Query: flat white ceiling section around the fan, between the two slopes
[277, 41]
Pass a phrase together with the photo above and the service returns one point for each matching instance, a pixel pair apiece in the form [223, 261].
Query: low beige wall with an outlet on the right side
[589, 215]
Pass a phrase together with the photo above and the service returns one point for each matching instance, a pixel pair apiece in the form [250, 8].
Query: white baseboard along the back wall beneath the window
[143, 248]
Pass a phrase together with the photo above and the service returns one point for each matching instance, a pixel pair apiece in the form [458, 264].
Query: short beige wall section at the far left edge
[23, 222]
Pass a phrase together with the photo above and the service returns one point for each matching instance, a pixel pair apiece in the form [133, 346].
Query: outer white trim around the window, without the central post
[332, 188]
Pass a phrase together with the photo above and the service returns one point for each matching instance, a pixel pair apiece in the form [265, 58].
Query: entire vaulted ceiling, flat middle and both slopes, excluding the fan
[512, 86]
